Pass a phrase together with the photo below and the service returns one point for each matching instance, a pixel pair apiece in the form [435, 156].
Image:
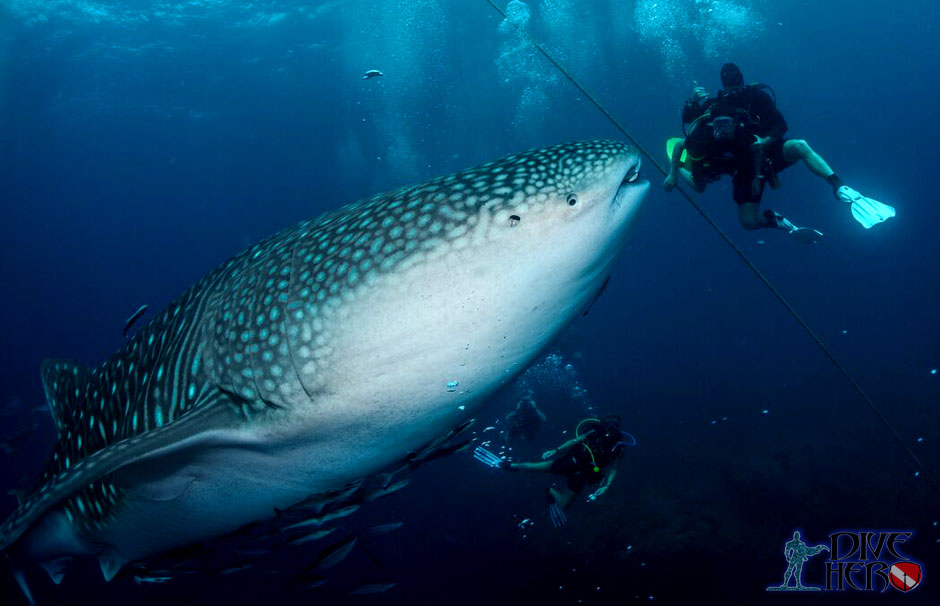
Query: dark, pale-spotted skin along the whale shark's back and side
[252, 335]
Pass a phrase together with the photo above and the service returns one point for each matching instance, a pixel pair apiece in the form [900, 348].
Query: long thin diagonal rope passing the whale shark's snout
[724, 236]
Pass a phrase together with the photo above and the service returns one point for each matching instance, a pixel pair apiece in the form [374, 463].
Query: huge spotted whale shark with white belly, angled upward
[323, 355]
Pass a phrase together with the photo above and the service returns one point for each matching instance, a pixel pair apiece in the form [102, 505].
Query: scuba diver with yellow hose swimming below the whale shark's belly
[587, 460]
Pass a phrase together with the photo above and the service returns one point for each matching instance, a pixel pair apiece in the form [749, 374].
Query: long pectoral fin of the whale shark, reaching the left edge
[209, 425]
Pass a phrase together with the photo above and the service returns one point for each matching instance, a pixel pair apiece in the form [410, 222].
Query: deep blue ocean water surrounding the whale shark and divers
[143, 143]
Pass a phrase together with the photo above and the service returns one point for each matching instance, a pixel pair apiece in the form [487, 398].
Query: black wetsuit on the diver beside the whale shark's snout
[753, 112]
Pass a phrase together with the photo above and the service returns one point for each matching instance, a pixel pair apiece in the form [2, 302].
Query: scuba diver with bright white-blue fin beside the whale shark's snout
[740, 132]
